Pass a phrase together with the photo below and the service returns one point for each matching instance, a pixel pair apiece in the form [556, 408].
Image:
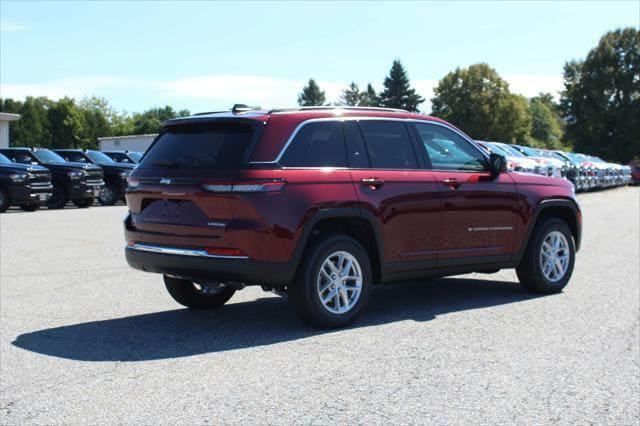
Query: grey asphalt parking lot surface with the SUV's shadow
[86, 339]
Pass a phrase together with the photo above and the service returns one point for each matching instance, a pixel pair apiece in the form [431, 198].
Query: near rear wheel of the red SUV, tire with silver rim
[305, 291]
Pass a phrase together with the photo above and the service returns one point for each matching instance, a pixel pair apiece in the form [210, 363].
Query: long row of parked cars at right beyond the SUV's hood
[586, 172]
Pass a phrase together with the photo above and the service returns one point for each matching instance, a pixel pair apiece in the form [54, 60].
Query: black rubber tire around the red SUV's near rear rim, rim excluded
[305, 295]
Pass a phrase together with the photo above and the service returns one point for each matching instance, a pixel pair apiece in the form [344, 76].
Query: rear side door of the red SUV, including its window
[393, 187]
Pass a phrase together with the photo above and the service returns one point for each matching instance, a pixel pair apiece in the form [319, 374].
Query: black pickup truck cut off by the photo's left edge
[27, 186]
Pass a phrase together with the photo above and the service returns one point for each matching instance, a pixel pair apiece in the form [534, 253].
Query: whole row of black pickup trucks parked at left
[32, 177]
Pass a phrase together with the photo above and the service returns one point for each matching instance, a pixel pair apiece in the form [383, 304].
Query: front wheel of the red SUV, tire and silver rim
[530, 271]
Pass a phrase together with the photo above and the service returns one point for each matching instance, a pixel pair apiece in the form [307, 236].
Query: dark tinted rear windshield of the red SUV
[207, 146]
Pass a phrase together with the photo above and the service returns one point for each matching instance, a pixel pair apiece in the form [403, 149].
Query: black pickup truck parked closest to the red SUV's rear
[115, 174]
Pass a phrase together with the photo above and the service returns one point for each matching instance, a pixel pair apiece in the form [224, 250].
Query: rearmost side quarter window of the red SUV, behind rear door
[319, 144]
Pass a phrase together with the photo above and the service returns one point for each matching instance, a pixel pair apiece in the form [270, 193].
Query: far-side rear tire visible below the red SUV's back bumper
[187, 294]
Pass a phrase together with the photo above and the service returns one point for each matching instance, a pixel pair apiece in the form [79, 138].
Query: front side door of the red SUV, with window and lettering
[479, 213]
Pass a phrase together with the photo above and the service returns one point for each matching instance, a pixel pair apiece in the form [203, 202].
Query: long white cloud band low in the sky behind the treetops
[221, 91]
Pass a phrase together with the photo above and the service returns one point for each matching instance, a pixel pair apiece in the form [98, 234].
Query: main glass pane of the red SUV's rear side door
[388, 145]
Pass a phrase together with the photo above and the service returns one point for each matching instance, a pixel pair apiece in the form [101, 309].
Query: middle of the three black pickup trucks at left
[76, 182]
